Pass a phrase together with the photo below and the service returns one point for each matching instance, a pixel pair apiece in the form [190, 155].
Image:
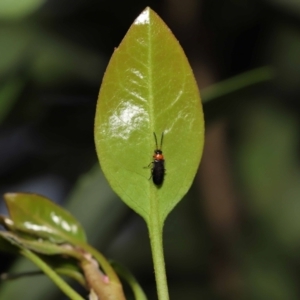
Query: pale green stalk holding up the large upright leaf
[155, 231]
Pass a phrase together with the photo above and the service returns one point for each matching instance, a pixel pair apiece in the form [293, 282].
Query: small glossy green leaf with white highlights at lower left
[39, 216]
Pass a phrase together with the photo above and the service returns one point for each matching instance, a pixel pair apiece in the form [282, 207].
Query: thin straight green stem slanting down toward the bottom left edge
[51, 274]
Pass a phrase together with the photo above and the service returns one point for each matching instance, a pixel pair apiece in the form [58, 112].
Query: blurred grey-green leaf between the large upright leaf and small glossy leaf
[101, 205]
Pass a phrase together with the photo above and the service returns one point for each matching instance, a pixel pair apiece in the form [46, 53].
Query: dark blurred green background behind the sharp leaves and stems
[236, 235]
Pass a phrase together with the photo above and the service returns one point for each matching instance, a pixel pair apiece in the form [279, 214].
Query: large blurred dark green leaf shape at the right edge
[268, 163]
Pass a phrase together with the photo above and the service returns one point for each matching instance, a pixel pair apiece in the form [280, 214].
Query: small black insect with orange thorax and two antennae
[158, 163]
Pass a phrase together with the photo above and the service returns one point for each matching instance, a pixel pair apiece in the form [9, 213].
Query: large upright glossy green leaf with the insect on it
[149, 87]
